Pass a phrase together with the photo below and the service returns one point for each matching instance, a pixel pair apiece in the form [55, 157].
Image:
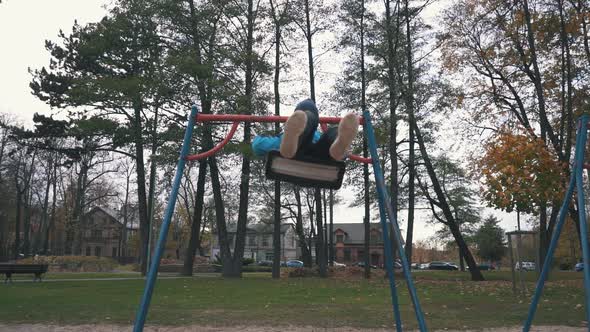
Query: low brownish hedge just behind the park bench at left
[73, 263]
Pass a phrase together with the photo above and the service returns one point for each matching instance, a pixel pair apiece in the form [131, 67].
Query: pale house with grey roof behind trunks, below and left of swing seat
[259, 242]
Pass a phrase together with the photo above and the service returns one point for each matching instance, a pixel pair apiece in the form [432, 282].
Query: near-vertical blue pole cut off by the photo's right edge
[582, 133]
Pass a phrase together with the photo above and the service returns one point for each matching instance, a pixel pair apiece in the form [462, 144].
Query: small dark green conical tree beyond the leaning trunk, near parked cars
[490, 240]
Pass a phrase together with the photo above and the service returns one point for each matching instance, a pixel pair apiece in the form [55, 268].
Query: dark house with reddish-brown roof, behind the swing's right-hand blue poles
[349, 242]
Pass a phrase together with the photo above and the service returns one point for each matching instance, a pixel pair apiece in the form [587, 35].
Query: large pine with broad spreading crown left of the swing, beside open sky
[114, 69]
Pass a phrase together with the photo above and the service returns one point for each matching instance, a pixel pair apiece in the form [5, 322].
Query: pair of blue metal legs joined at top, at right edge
[577, 183]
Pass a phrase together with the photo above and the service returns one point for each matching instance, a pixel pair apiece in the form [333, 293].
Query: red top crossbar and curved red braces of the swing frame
[237, 118]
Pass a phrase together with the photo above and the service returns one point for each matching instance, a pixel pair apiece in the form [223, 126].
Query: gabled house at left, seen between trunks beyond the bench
[105, 233]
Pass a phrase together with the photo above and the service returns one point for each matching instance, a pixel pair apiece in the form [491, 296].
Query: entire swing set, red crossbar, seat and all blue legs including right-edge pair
[329, 174]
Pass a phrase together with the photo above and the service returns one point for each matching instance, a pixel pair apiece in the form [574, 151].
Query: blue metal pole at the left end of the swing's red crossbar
[153, 271]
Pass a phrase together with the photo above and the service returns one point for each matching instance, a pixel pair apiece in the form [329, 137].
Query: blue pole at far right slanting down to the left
[578, 161]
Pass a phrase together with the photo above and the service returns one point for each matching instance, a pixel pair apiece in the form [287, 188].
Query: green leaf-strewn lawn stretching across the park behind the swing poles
[448, 301]
